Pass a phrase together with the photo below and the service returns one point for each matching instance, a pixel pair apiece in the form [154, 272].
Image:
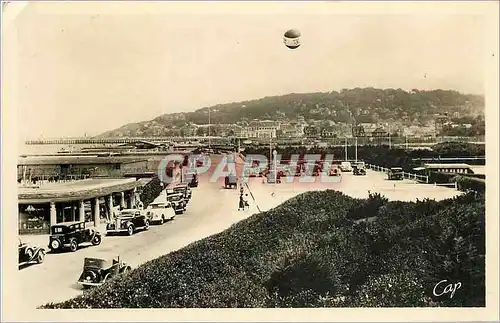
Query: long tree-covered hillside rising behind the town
[364, 104]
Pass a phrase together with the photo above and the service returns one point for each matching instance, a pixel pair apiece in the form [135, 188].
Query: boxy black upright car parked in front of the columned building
[70, 235]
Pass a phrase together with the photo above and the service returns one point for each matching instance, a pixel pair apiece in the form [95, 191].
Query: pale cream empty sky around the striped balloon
[94, 69]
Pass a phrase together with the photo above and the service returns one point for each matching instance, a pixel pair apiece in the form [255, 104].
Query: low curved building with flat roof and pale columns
[88, 200]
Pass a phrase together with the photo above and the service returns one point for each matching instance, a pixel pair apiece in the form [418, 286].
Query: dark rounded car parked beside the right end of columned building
[129, 221]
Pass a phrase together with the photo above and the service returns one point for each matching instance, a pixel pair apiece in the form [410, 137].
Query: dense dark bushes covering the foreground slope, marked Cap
[309, 252]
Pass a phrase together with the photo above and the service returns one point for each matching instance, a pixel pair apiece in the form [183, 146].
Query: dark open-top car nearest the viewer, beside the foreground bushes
[97, 271]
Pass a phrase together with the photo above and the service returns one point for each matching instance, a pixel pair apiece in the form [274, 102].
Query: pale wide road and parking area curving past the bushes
[211, 210]
